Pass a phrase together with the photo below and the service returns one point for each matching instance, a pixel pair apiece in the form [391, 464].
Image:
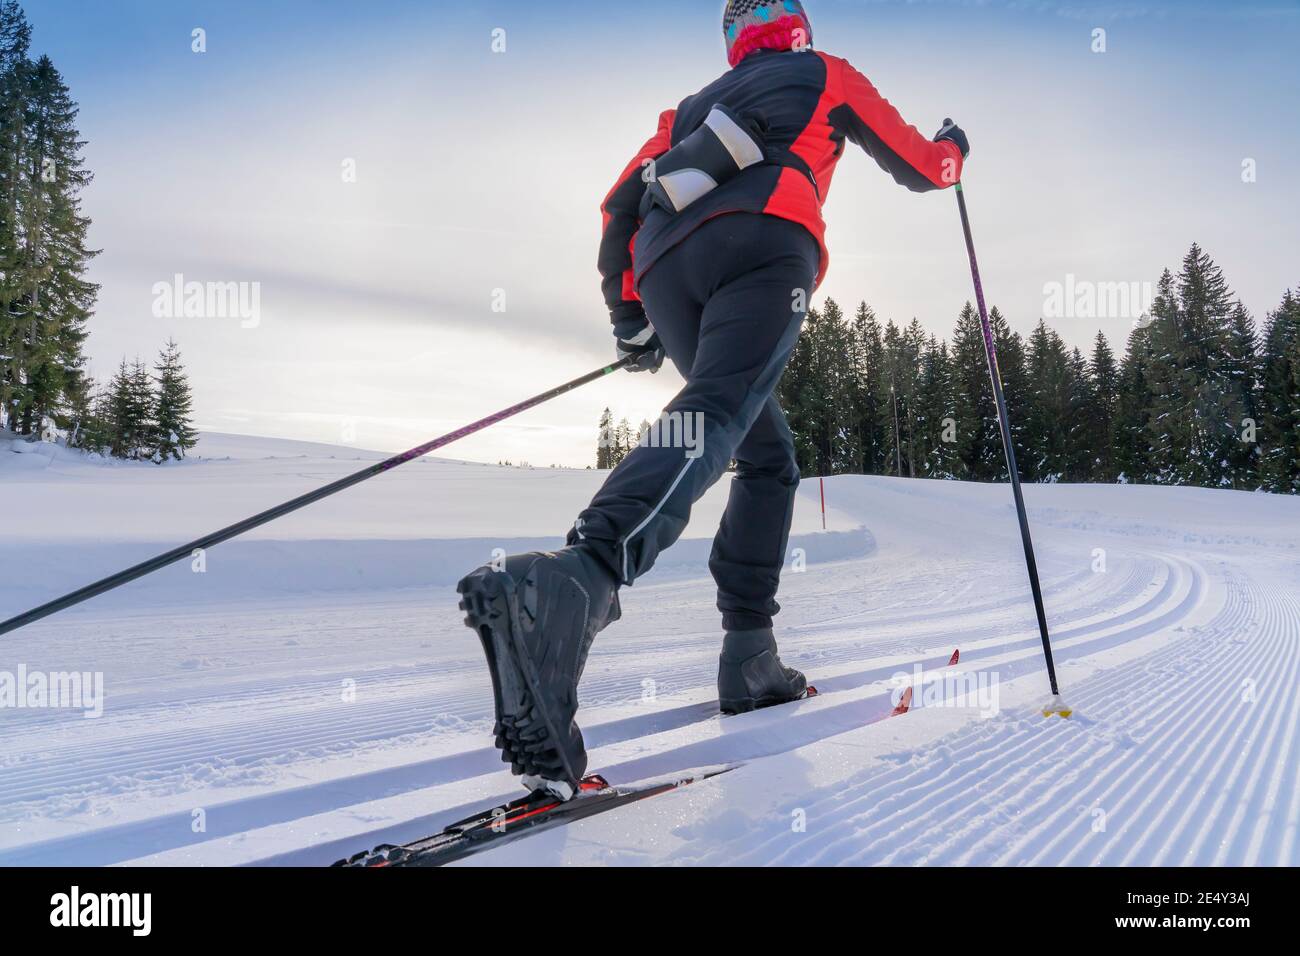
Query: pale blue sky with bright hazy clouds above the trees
[478, 178]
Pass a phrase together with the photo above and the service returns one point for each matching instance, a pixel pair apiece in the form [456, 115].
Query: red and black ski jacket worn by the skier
[812, 103]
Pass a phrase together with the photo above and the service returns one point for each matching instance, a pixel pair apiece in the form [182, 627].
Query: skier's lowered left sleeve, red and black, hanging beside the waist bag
[619, 227]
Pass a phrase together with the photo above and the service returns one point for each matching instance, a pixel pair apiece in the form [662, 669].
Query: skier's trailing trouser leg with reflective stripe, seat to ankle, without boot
[755, 275]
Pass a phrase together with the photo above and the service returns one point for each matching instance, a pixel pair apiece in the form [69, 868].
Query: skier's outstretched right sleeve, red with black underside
[869, 120]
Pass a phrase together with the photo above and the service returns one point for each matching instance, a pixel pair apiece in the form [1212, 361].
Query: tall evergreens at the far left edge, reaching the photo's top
[45, 301]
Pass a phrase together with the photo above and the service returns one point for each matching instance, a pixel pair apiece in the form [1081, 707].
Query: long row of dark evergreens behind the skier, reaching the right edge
[1201, 397]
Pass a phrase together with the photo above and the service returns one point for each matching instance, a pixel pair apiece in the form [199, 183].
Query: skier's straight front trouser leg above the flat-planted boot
[749, 548]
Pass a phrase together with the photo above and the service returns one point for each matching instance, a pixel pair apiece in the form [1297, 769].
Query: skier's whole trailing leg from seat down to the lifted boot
[538, 615]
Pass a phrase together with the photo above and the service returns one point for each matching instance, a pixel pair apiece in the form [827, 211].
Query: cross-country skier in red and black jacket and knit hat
[713, 244]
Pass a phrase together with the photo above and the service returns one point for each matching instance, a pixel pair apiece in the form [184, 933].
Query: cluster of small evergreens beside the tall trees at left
[140, 416]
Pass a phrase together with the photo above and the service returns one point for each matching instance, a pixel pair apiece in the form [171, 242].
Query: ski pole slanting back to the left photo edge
[293, 505]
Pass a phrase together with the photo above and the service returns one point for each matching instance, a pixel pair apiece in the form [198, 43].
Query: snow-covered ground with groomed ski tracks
[314, 693]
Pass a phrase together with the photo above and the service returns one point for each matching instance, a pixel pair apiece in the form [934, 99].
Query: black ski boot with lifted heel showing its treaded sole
[538, 618]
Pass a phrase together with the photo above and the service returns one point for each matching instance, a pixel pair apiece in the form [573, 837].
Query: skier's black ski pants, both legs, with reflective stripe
[729, 304]
